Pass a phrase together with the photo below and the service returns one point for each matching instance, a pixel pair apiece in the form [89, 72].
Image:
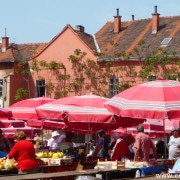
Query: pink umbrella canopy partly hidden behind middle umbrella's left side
[25, 109]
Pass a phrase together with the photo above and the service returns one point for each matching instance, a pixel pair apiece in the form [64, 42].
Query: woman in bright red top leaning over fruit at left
[24, 153]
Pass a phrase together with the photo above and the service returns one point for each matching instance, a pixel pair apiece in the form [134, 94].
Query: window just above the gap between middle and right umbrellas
[113, 86]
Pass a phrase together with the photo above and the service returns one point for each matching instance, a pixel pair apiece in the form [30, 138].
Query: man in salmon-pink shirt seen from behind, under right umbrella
[142, 145]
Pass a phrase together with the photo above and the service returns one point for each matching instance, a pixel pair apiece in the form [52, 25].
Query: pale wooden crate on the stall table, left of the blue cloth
[105, 165]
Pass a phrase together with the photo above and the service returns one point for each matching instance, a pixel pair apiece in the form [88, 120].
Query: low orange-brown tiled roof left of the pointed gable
[20, 52]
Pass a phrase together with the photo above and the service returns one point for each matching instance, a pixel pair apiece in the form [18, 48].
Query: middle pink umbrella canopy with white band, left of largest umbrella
[83, 108]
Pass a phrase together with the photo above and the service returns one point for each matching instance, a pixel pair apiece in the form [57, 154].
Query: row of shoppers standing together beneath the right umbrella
[137, 148]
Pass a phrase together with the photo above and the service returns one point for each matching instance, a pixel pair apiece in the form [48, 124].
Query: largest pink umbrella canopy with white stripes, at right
[158, 99]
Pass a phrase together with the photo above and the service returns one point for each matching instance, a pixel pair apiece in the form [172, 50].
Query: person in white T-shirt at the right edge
[174, 144]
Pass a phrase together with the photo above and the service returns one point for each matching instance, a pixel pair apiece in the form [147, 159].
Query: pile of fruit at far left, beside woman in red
[7, 164]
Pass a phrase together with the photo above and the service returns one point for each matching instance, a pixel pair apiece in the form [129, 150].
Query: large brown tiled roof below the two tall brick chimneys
[134, 31]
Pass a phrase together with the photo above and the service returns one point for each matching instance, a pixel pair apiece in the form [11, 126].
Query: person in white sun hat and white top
[53, 141]
